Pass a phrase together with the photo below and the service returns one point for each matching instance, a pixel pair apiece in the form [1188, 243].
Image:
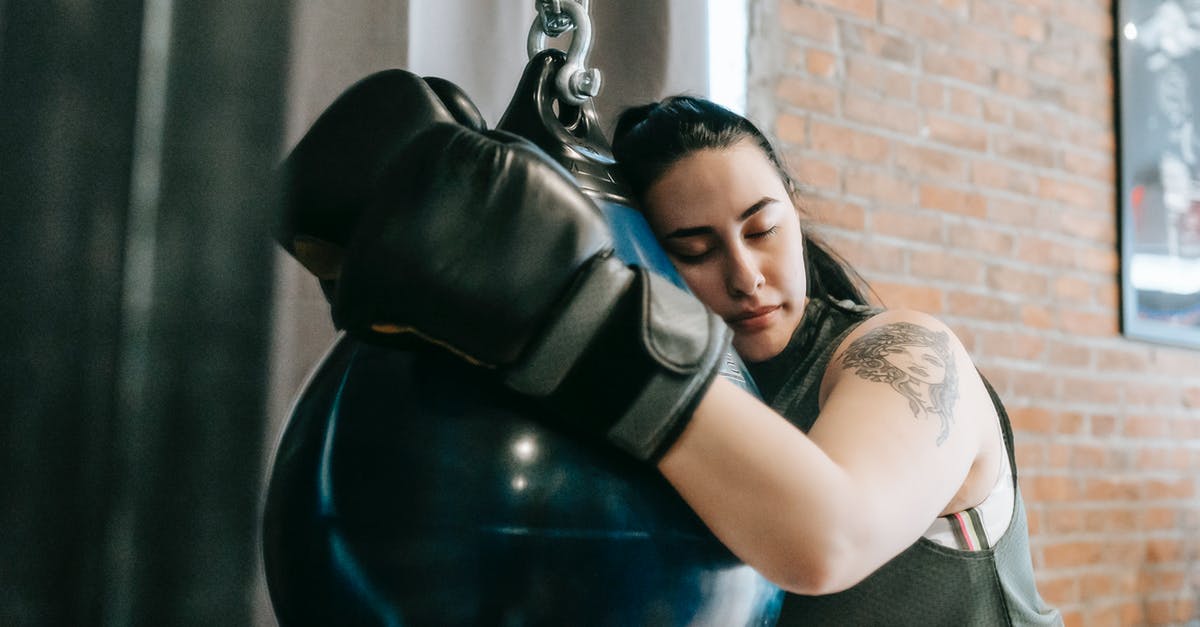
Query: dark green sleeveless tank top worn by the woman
[928, 584]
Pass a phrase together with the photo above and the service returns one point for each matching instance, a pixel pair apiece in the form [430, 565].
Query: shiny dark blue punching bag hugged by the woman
[411, 489]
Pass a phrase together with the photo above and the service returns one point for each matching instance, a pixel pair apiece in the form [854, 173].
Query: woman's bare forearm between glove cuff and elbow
[769, 493]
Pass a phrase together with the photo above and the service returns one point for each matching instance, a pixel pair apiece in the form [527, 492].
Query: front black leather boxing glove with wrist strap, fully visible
[483, 246]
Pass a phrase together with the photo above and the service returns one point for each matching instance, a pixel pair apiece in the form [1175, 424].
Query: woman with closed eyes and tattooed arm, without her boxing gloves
[869, 517]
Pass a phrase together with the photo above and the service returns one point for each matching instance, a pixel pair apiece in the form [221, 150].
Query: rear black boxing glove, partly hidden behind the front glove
[328, 178]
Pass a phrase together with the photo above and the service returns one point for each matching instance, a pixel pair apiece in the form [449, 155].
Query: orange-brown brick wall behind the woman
[963, 157]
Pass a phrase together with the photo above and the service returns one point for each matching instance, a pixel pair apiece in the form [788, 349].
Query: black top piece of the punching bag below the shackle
[569, 134]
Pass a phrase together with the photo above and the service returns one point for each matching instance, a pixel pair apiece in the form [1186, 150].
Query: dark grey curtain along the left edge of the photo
[136, 146]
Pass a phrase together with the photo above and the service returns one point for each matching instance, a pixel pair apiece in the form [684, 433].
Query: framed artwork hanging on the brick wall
[1159, 145]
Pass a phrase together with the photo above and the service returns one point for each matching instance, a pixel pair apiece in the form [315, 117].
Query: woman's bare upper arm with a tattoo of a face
[904, 415]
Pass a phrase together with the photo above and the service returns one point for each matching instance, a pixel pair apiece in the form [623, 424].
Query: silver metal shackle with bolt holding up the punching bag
[577, 83]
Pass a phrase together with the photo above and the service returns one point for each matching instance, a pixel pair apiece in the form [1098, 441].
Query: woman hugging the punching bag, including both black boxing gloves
[895, 501]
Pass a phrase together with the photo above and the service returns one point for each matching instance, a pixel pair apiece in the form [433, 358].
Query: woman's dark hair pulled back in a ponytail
[650, 139]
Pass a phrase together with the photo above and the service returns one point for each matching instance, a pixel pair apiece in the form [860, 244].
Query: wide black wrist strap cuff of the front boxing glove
[629, 356]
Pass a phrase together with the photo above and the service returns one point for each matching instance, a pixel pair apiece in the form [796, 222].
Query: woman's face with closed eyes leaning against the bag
[731, 230]
